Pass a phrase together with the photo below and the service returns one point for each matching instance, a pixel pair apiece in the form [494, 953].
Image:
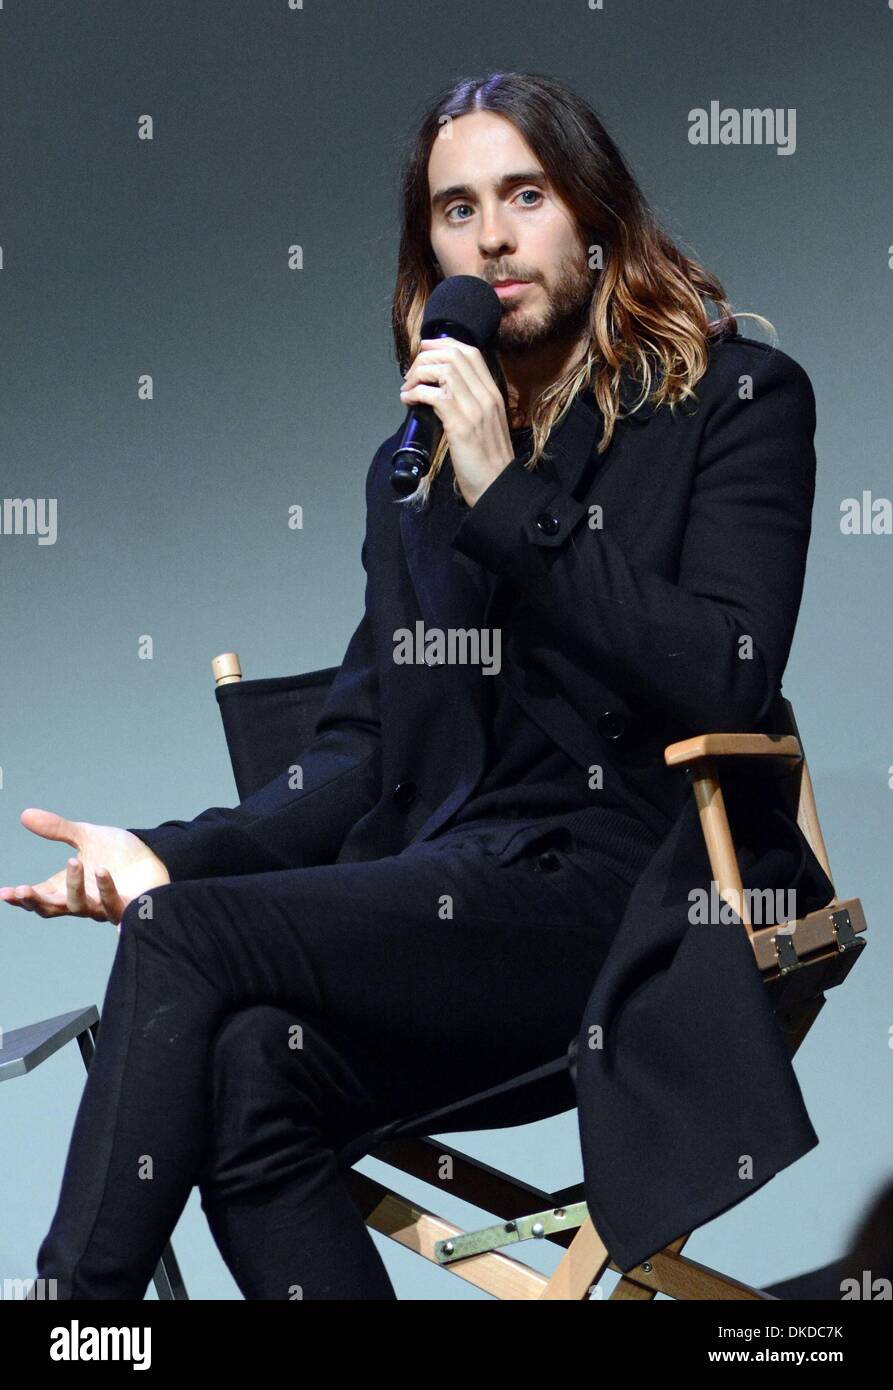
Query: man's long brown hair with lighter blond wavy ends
[647, 309]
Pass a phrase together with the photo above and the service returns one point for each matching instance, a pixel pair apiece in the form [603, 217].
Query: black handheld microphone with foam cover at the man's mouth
[464, 308]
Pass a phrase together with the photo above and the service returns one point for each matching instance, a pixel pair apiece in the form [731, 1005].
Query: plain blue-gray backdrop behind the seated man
[273, 387]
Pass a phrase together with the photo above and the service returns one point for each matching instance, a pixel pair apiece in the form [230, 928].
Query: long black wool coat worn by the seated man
[645, 596]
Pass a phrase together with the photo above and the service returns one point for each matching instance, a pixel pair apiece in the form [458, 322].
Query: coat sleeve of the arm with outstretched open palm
[286, 828]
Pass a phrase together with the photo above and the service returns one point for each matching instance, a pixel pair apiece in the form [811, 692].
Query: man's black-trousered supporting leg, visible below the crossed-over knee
[284, 1100]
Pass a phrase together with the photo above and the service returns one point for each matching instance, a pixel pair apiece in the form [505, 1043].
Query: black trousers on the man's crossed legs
[255, 1025]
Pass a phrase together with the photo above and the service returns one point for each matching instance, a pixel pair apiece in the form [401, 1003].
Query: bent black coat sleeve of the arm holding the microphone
[679, 646]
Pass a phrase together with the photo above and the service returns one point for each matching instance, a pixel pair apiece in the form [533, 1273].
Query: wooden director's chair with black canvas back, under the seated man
[266, 725]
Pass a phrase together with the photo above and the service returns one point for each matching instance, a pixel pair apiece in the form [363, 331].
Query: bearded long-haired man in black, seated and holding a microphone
[428, 911]
